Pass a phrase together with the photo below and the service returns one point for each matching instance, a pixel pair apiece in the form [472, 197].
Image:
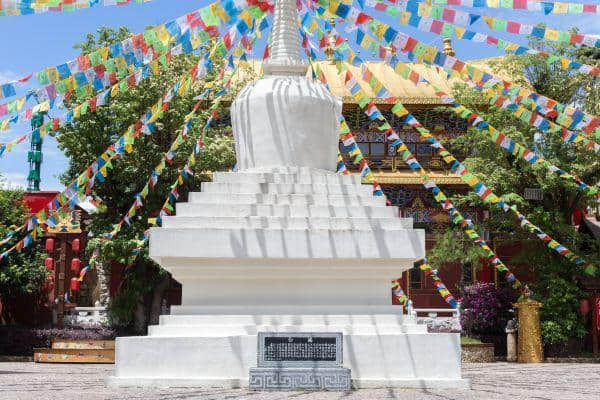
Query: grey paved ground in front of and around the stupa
[25, 381]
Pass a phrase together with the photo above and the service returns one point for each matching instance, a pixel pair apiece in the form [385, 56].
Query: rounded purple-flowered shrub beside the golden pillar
[485, 309]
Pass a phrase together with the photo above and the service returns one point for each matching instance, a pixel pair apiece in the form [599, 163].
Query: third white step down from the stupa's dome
[263, 198]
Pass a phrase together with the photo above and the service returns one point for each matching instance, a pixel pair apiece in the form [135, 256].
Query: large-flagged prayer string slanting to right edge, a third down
[574, 118]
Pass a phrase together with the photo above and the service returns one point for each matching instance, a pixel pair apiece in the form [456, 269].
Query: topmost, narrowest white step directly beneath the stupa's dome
[271, 177]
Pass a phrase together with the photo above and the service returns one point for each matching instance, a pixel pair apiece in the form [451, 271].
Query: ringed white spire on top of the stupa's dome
[284, 58]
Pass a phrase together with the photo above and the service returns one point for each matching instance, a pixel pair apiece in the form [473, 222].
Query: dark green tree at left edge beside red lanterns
[22, 274]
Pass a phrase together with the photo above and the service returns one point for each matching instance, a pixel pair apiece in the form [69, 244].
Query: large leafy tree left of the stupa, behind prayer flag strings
[83, 141]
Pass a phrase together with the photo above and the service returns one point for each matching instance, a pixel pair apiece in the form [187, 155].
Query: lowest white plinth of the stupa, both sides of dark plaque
[375, 359]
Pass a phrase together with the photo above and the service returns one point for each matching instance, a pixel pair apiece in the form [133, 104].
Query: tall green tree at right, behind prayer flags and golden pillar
[508, 177]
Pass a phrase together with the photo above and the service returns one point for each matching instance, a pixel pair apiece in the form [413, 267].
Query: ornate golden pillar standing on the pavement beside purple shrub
[530, 338]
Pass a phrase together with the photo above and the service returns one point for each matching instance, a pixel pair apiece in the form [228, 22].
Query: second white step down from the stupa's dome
[287, 188]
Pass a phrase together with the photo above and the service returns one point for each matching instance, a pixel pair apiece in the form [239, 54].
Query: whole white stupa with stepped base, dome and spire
[286, 245]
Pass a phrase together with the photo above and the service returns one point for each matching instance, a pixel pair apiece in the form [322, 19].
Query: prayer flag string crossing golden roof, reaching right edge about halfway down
[506, 143]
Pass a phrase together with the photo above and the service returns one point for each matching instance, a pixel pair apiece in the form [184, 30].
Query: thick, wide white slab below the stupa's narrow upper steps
[400, 248]
